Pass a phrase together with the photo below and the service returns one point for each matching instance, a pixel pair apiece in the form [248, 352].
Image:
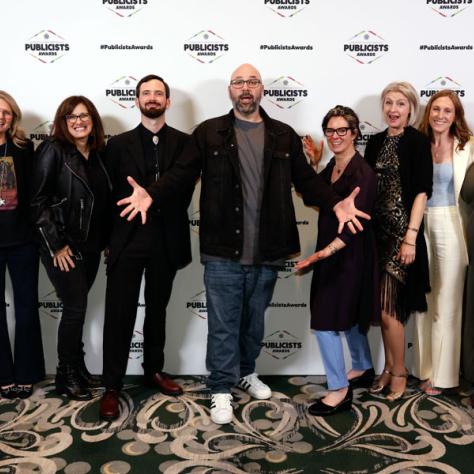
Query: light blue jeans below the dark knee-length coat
[330, 345]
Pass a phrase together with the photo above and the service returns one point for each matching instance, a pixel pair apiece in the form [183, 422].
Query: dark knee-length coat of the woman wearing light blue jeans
[345, 287]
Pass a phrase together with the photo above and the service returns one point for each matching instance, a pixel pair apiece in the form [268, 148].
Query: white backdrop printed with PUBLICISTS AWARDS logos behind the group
[313, 54]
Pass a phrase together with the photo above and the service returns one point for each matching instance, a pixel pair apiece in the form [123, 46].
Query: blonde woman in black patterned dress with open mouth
[401, 158]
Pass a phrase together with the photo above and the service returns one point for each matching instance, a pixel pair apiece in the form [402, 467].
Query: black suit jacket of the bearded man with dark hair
[124, 157]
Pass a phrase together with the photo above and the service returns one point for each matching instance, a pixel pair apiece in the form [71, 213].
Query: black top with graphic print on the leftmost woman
[15, 171]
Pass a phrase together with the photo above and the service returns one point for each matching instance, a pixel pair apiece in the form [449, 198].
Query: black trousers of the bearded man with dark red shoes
[144, 254]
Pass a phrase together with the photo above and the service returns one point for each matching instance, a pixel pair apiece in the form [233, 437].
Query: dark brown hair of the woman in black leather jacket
[96, 140]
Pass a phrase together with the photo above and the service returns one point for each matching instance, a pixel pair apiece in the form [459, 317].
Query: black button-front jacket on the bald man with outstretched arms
[213, 154]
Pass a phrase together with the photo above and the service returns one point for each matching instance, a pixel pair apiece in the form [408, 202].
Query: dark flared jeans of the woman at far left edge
[27, 366]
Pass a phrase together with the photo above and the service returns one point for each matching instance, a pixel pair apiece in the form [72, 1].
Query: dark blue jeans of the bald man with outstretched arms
[237, 297]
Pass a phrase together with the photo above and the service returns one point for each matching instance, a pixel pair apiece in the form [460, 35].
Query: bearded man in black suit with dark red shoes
[157, 248]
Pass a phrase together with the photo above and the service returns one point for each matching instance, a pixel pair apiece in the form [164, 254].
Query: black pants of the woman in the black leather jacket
[72, 288]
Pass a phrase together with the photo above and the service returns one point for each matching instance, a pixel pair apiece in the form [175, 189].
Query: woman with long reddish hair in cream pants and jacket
[437, 334]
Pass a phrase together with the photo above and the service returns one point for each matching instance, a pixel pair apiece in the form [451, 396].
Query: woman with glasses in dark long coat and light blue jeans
[344, 289]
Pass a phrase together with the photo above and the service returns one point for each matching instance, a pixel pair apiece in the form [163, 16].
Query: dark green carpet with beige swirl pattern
[160, 434]
